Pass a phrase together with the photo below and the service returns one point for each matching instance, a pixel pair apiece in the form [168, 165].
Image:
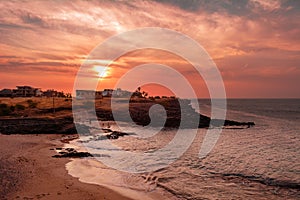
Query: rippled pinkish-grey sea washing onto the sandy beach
[261, 162]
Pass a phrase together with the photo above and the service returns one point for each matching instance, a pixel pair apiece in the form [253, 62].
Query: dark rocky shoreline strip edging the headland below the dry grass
[139, 113]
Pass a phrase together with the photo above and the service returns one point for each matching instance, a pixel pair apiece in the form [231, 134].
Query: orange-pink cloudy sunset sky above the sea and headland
[254, 43]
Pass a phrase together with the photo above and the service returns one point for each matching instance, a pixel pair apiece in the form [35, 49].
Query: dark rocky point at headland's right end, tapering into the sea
[139, 113]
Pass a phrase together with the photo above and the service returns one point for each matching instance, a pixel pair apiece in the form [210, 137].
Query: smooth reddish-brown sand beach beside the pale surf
[28, 171]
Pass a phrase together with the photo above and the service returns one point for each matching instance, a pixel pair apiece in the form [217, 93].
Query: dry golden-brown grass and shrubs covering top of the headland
[60, 107]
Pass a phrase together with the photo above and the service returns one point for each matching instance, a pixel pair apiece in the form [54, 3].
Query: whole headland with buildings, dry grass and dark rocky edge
[32, 113]
